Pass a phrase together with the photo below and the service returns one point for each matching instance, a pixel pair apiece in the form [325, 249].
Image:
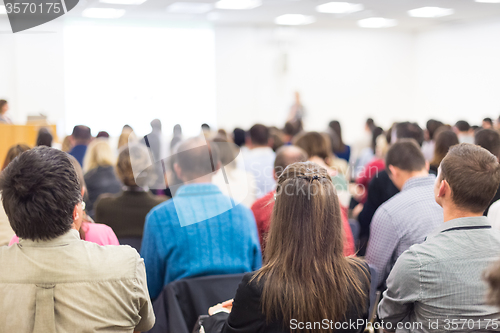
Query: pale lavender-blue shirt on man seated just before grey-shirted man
[404, 220]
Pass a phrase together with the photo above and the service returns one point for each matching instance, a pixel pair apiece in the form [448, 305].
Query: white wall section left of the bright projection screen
[32, 73]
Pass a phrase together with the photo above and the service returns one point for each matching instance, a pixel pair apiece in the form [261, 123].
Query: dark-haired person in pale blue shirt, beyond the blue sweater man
[259, 159]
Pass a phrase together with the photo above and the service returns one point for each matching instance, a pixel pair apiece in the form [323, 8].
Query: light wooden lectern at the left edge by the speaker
[15, 134]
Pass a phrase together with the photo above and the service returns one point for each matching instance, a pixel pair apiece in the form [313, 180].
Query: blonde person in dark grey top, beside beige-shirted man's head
[99, 172]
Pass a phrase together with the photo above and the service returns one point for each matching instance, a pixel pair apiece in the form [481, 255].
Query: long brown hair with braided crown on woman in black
[304, 261]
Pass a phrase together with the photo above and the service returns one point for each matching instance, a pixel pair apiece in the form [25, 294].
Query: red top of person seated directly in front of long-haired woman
[263, 207]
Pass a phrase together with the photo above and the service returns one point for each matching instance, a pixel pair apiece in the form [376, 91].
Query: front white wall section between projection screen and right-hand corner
[346, 75]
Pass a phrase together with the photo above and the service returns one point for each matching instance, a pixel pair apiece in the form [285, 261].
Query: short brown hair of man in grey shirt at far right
[473, 174]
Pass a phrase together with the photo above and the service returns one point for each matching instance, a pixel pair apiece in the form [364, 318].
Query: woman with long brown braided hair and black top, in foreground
[305, 277]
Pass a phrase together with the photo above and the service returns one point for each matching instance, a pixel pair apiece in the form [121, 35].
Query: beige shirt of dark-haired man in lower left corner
[69, 285]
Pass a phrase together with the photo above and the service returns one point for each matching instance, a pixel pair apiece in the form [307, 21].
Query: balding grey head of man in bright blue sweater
[195, 159]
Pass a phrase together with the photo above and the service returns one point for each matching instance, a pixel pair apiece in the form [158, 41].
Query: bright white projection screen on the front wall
[132, 74]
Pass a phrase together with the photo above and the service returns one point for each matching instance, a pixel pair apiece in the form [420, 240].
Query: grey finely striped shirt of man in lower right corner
[438, 284]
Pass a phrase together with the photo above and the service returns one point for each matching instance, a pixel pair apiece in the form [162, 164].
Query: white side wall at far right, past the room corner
[458, 72]
